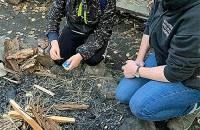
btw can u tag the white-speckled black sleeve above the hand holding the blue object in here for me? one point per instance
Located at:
(101, 34)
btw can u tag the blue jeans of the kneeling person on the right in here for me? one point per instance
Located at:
(154, 100)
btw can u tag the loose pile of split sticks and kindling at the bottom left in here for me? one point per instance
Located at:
(34, 113)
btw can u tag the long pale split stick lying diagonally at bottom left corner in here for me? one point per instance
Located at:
(25, 116)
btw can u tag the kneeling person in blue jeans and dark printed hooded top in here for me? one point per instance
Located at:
(167, 85)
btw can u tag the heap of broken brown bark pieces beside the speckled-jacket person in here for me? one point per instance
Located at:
(20, 60)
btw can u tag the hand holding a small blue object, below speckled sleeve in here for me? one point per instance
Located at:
(74, 61)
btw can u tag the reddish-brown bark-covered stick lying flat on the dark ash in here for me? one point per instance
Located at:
(71, 106)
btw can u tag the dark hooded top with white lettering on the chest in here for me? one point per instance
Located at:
(174, 30)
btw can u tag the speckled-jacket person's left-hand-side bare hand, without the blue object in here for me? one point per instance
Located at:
(55, 50)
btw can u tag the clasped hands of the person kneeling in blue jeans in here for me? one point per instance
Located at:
(130, 69)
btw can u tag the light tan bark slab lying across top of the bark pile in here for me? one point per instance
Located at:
(23, 54)
